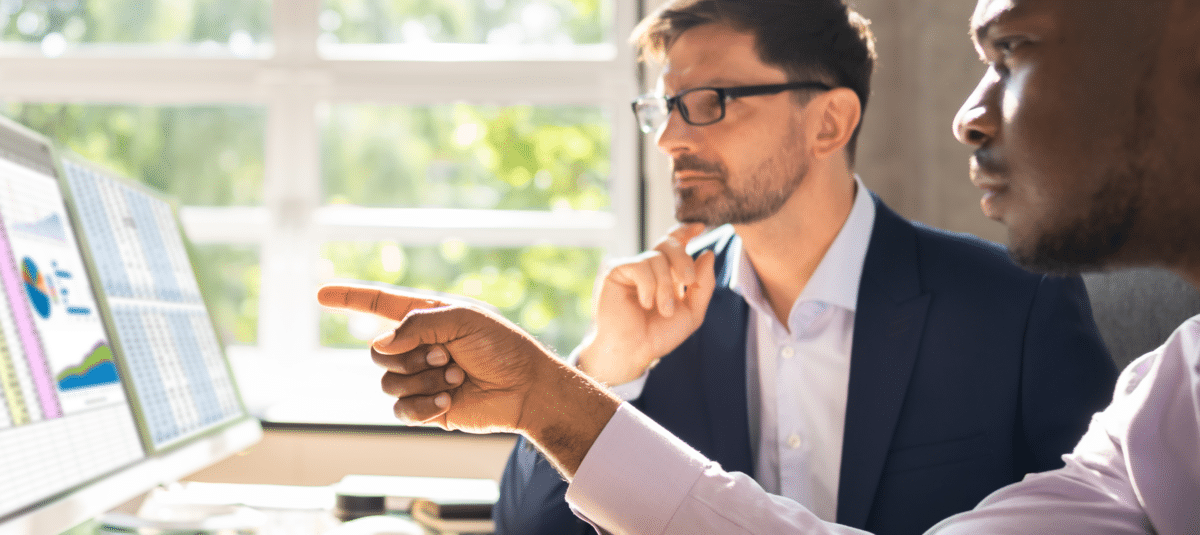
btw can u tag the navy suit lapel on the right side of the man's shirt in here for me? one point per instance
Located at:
(889, 323)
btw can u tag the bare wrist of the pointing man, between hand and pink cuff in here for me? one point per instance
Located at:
(565, 416)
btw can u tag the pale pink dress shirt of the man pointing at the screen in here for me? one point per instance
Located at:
(1137, 471)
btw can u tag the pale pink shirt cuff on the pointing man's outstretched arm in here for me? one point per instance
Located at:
(610, 489)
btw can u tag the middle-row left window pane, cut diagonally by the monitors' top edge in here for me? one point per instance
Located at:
(200, 155)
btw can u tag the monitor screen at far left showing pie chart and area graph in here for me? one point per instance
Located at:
(65, 419)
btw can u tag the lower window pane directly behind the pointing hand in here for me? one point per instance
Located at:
(545, 290)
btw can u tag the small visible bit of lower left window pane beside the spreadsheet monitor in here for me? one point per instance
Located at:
(231, 278)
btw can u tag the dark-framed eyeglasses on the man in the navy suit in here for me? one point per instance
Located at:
(704, 106)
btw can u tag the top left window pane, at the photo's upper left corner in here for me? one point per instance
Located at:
(238, 27)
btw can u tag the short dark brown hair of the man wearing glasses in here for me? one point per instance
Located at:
(823, 40)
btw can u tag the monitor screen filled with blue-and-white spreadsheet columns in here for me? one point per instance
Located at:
(183, 386)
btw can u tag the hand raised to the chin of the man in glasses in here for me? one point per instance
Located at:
(647, 306)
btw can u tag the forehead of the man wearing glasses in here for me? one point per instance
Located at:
(715, 55)
